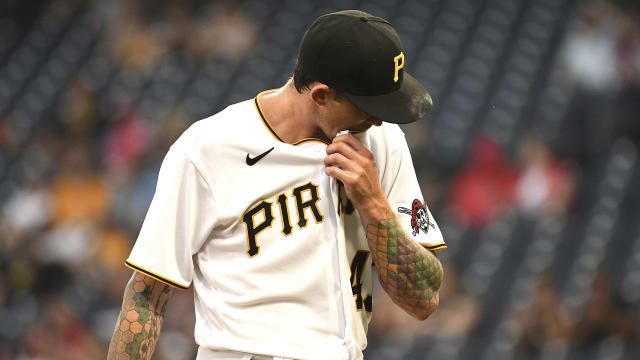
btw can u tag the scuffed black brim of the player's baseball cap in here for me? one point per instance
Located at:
(409, 103)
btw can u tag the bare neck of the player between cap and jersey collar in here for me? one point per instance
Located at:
(289, 114)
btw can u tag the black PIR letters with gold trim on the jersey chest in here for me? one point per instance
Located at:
(255, 226)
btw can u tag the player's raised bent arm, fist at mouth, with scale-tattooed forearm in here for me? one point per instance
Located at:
(408, 272)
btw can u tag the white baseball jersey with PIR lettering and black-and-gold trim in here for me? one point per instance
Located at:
(278, 258)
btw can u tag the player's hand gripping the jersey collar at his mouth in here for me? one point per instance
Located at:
(352, 163)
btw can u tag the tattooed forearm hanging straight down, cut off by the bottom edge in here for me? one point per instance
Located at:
(138, 326)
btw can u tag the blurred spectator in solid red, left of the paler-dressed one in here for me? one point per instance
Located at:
(484, 188)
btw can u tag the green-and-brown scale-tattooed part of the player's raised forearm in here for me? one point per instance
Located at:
(408, 272)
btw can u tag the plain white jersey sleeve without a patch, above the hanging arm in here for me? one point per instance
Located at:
(179, 220)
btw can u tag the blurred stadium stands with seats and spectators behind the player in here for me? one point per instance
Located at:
(529, 162)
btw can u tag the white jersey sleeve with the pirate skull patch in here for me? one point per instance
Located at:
(405, 196)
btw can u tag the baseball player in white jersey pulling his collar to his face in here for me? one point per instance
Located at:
(276, 209)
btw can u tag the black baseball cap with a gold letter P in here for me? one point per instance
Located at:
(360, 55)
